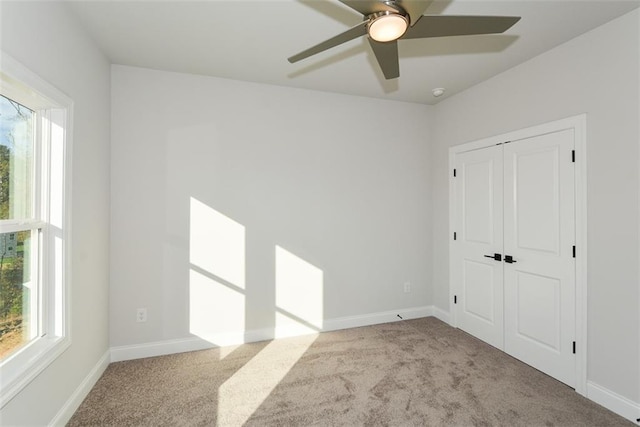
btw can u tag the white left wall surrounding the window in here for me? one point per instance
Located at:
(47, 39)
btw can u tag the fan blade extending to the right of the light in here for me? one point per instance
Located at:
(443, 26)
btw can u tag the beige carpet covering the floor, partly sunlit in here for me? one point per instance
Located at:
(411, 373)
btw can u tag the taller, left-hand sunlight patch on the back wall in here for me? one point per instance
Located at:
(217, 276)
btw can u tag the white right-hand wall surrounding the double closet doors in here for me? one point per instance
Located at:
(598, 74)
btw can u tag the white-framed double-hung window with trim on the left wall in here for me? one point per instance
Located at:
(34, 243)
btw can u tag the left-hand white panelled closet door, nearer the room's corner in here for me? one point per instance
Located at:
(477, 275)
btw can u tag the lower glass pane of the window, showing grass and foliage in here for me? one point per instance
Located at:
(18, 291)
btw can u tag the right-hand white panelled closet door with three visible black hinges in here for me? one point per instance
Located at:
(539, 236)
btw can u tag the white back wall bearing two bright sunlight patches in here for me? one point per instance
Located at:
(340, 182)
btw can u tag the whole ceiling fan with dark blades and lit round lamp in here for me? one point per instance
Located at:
(385, 22)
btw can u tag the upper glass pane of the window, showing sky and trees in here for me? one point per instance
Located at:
(16, 160)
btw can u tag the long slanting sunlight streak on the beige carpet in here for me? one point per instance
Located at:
(243, 393)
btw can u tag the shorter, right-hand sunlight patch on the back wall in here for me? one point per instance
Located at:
(299, 295)
